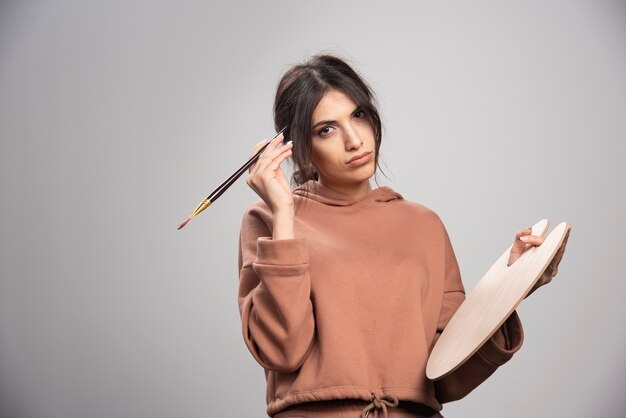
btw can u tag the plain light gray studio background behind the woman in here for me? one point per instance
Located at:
(118, 117)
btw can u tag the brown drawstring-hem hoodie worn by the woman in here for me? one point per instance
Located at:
(351, 307)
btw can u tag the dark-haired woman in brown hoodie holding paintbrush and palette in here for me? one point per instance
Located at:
(344, 289)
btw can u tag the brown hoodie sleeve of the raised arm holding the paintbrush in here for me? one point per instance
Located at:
(274, 295)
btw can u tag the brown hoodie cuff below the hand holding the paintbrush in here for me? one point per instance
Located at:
(283, 252)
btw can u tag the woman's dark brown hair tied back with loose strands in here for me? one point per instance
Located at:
(297, 95)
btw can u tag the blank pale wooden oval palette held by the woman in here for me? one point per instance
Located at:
(491, 302)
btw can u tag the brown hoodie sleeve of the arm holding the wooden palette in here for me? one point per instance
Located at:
(496, 351)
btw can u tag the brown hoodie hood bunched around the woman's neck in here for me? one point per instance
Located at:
(314, 190)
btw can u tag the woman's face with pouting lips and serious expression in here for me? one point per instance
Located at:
(340, 132)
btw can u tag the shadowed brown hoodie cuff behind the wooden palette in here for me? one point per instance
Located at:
(500, 348)
